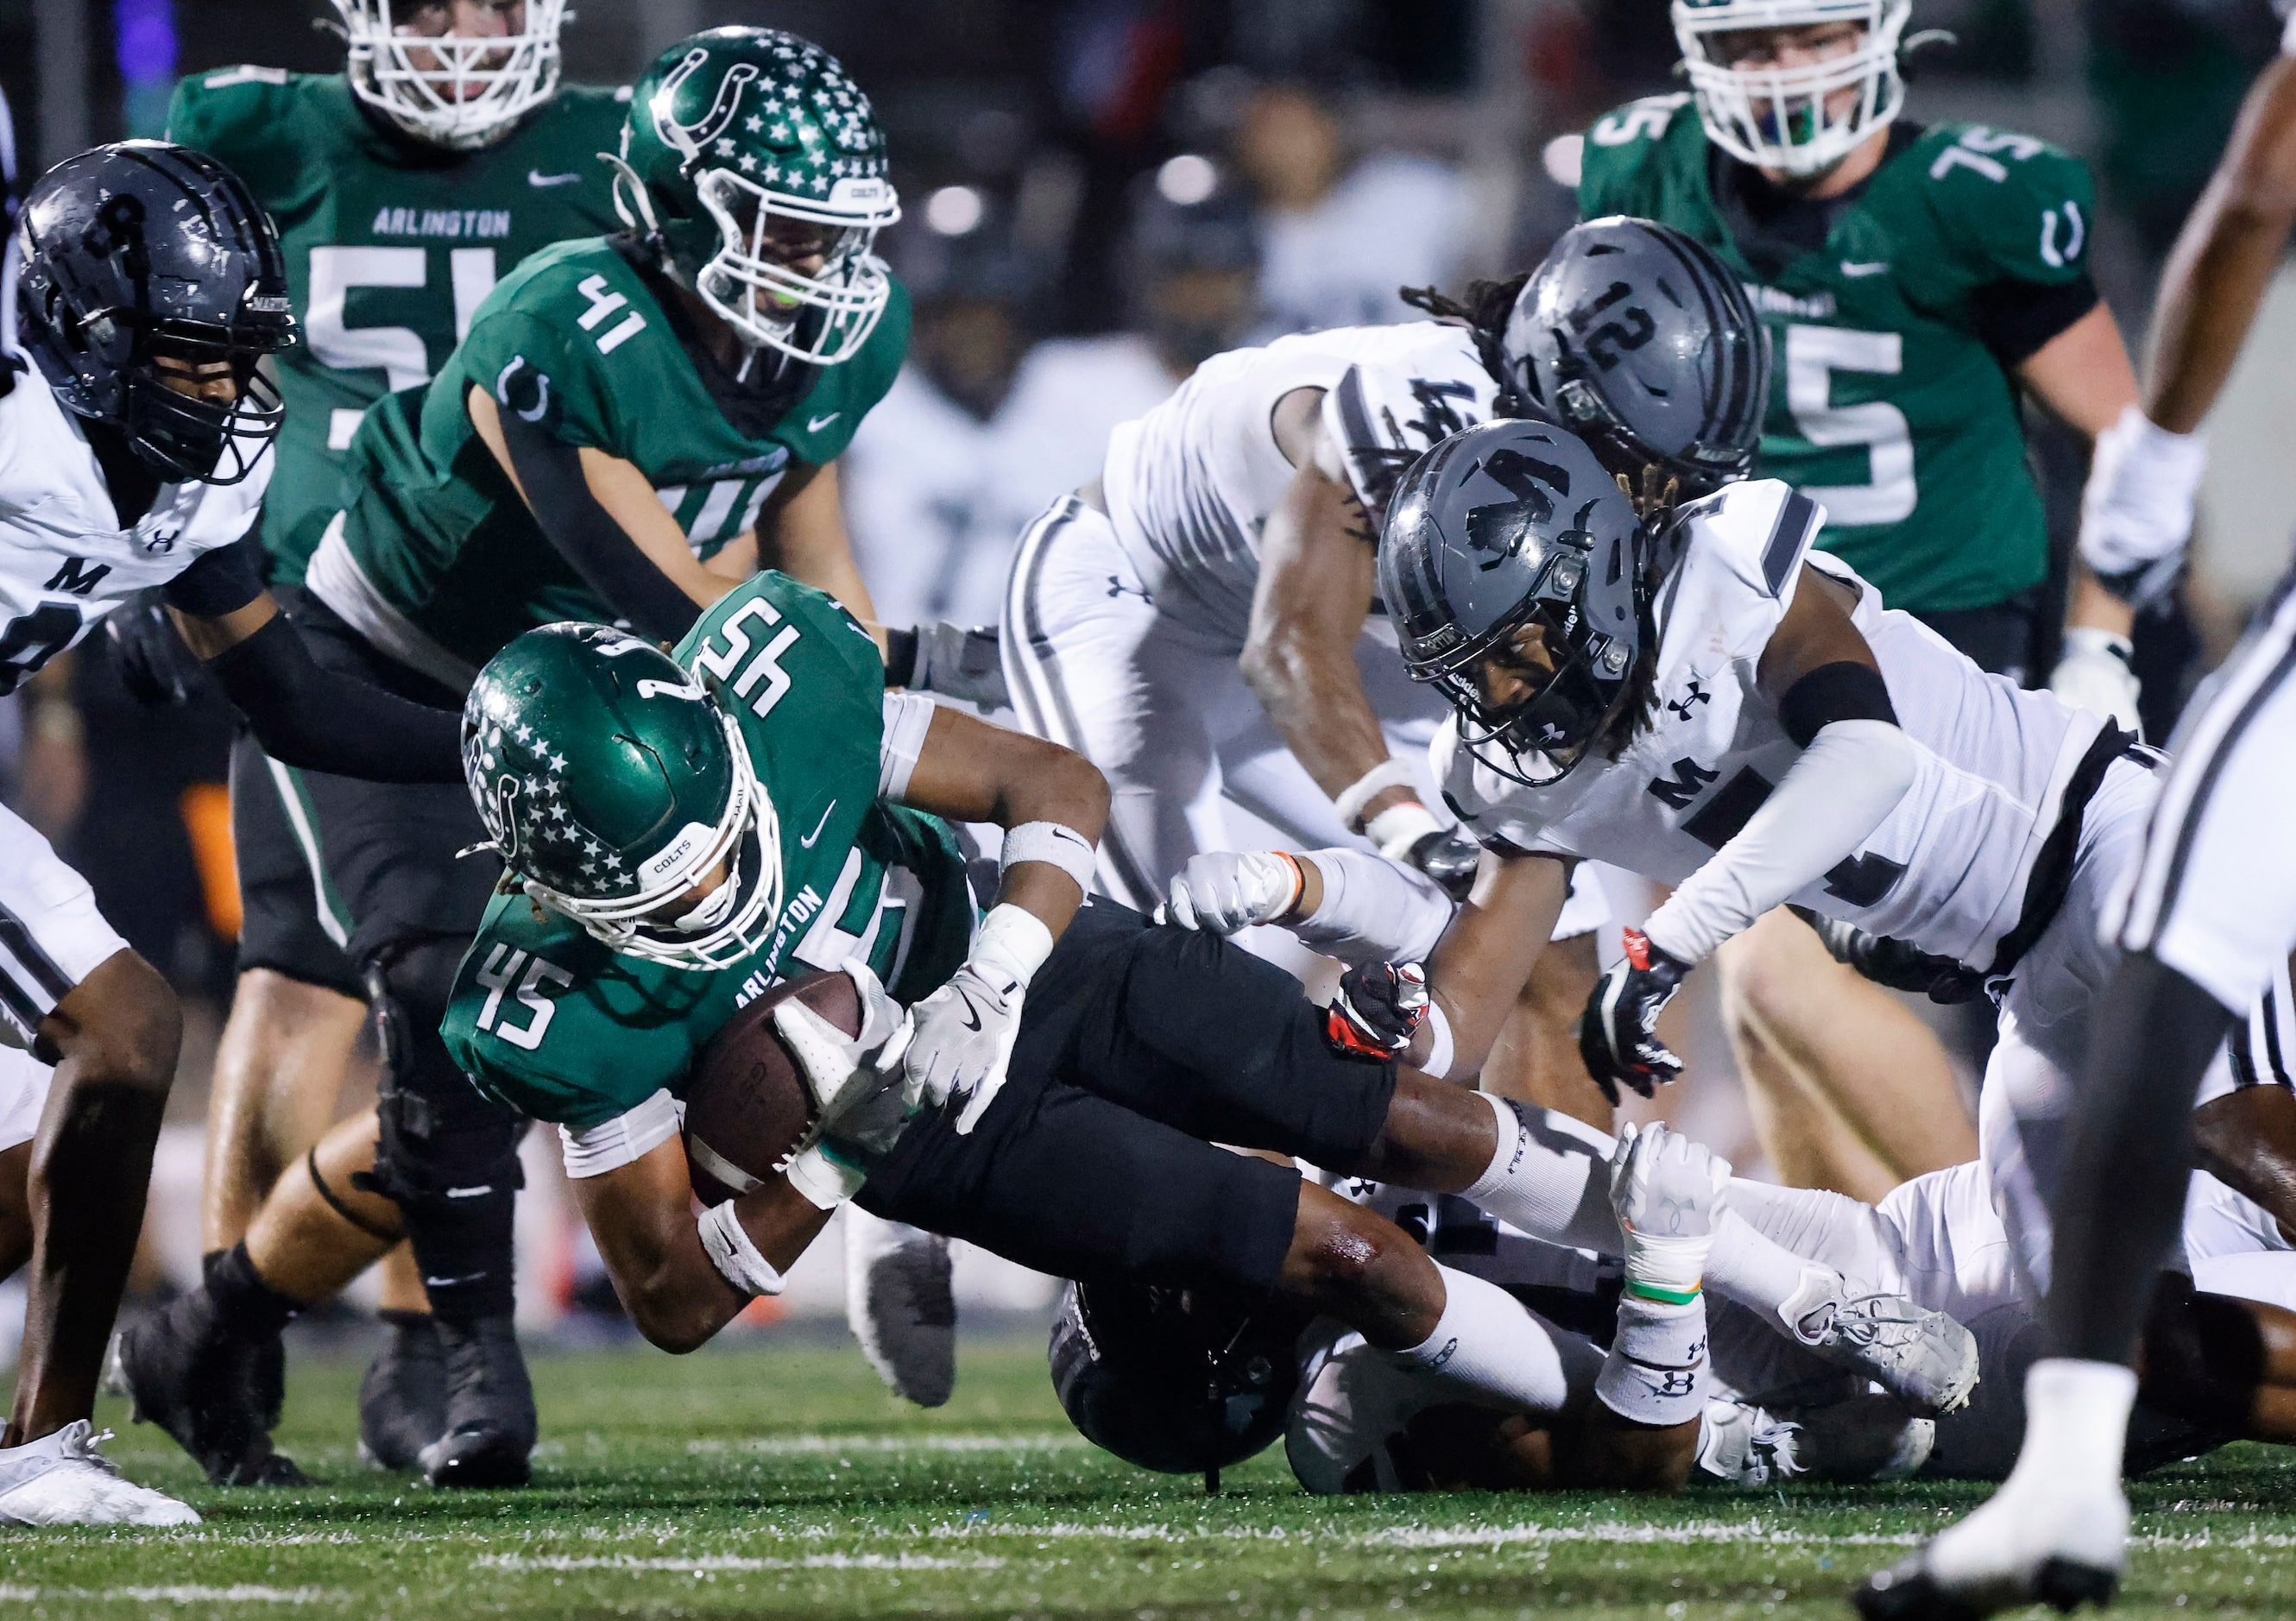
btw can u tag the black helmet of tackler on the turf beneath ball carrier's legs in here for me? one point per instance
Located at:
(1179, 1381)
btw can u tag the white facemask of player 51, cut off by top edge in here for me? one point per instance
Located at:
(451, 91)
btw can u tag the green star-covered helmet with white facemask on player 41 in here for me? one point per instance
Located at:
(750, 155)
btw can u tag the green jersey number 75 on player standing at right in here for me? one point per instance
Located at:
(1891, 334)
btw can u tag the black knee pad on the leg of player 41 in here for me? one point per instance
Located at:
(440, 1135)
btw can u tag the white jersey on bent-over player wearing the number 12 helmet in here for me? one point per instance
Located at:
(1190, 486)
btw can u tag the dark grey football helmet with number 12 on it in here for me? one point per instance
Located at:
(1645, 343)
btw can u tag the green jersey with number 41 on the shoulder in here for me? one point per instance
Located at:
(442, 564)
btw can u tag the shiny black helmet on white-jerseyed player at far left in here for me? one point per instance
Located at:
(148, 251)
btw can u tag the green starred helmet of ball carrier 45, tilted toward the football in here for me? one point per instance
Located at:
(612, 784)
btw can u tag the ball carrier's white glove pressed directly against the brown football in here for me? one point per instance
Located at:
(858, 1106)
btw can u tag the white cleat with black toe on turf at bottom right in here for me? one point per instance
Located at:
(2031, 1544)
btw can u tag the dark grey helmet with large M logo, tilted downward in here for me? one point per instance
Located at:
(1507, 527)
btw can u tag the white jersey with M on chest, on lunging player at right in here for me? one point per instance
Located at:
(1946, 869)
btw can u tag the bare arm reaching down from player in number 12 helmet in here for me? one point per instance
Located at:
(1319, 573)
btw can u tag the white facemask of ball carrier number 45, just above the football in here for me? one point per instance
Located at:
(727, 926)
